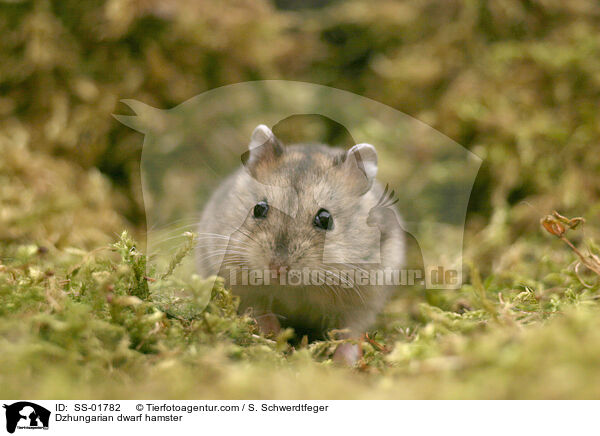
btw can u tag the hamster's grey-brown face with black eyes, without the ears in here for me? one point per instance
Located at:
(306, 196)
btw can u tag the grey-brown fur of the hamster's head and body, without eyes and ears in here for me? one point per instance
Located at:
(297, 183)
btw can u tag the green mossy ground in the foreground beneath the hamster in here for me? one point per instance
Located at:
(88, 332)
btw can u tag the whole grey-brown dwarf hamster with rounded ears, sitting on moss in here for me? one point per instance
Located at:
(307, 208)
